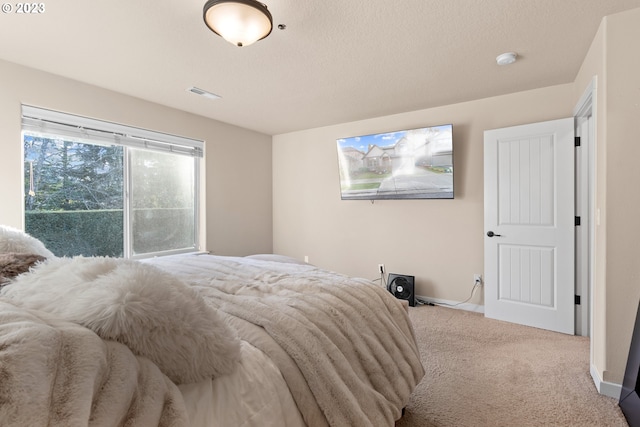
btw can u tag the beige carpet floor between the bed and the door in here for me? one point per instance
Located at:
(484, 372)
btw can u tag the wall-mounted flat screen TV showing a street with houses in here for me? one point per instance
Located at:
(406, 164)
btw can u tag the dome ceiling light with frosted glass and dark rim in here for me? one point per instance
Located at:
(240, 22)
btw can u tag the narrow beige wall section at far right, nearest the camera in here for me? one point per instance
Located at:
(622, 130)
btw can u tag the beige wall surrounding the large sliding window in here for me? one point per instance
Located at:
(237, 165)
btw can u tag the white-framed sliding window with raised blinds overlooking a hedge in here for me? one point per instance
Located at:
(96, 188)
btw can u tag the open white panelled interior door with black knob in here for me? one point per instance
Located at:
(529, 224)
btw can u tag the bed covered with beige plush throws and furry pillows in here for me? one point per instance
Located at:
(196, 340)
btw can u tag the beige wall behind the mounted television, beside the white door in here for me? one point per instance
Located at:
(438, 241)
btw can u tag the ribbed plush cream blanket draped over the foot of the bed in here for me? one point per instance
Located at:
(344, 346)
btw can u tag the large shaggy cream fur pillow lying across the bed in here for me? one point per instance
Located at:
(151, 311)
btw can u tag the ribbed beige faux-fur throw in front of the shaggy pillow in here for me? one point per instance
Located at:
(57, 373)
